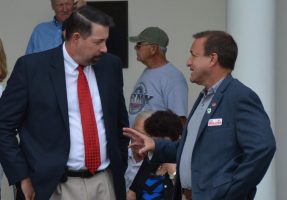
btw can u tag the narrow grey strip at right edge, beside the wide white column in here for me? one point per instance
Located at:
(281, 99)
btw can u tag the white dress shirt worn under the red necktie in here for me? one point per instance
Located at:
(76, 159)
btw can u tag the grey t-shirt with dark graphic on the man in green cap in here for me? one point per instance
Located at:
(159, 88)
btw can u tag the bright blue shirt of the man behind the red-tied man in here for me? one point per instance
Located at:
(46, 35)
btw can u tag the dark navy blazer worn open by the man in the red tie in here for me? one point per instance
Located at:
(34, 106)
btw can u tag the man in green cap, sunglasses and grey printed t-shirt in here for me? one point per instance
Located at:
(161, 86)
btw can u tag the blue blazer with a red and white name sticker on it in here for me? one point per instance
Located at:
(228, 160)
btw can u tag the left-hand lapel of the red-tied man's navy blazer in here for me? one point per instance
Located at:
(57, 75)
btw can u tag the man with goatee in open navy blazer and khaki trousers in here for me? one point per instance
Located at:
(40, 105)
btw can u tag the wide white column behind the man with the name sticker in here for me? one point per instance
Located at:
(252, 23)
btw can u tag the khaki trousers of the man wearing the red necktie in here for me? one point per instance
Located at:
(98, 187)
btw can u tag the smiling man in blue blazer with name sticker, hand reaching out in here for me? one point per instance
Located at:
(227, 144)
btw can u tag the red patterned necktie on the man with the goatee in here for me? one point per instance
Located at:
(89, 126)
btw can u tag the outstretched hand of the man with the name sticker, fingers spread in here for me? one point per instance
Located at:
(139, 141)
